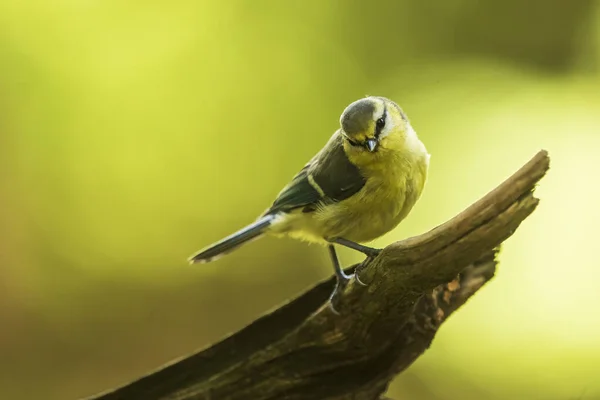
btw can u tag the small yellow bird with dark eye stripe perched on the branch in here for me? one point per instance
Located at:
(358, 187)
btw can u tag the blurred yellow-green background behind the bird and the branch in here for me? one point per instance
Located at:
(134, 133)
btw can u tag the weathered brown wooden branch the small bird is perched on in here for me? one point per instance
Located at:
(304, 351)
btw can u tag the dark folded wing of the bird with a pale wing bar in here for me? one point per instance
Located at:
(329, 177)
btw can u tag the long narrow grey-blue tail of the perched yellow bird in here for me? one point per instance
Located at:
(224, 246)
